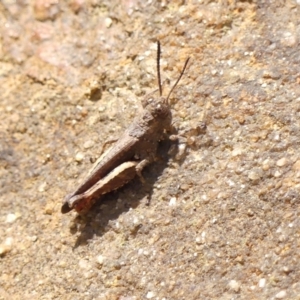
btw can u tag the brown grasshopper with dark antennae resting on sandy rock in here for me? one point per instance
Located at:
(134, 150)
